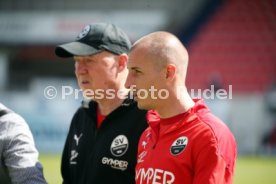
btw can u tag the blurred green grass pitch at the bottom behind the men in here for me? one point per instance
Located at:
(249, 170)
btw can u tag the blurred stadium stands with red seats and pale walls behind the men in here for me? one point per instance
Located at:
(232, 46)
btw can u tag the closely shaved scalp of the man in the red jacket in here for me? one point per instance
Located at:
(164, 48)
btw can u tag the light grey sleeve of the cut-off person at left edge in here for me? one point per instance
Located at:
(20, 154)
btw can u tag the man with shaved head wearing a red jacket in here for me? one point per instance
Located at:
(185, 143)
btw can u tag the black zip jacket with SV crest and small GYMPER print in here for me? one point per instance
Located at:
(105, 155)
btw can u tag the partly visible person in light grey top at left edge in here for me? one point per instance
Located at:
(19, 157)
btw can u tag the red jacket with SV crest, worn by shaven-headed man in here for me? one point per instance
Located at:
(194, 147)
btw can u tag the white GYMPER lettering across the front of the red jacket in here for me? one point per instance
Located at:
(157, 176)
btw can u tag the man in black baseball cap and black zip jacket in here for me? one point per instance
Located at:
(101, 146)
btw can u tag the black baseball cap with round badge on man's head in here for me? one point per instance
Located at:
(95, 38)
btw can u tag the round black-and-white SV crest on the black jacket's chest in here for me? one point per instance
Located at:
(119, 146)
